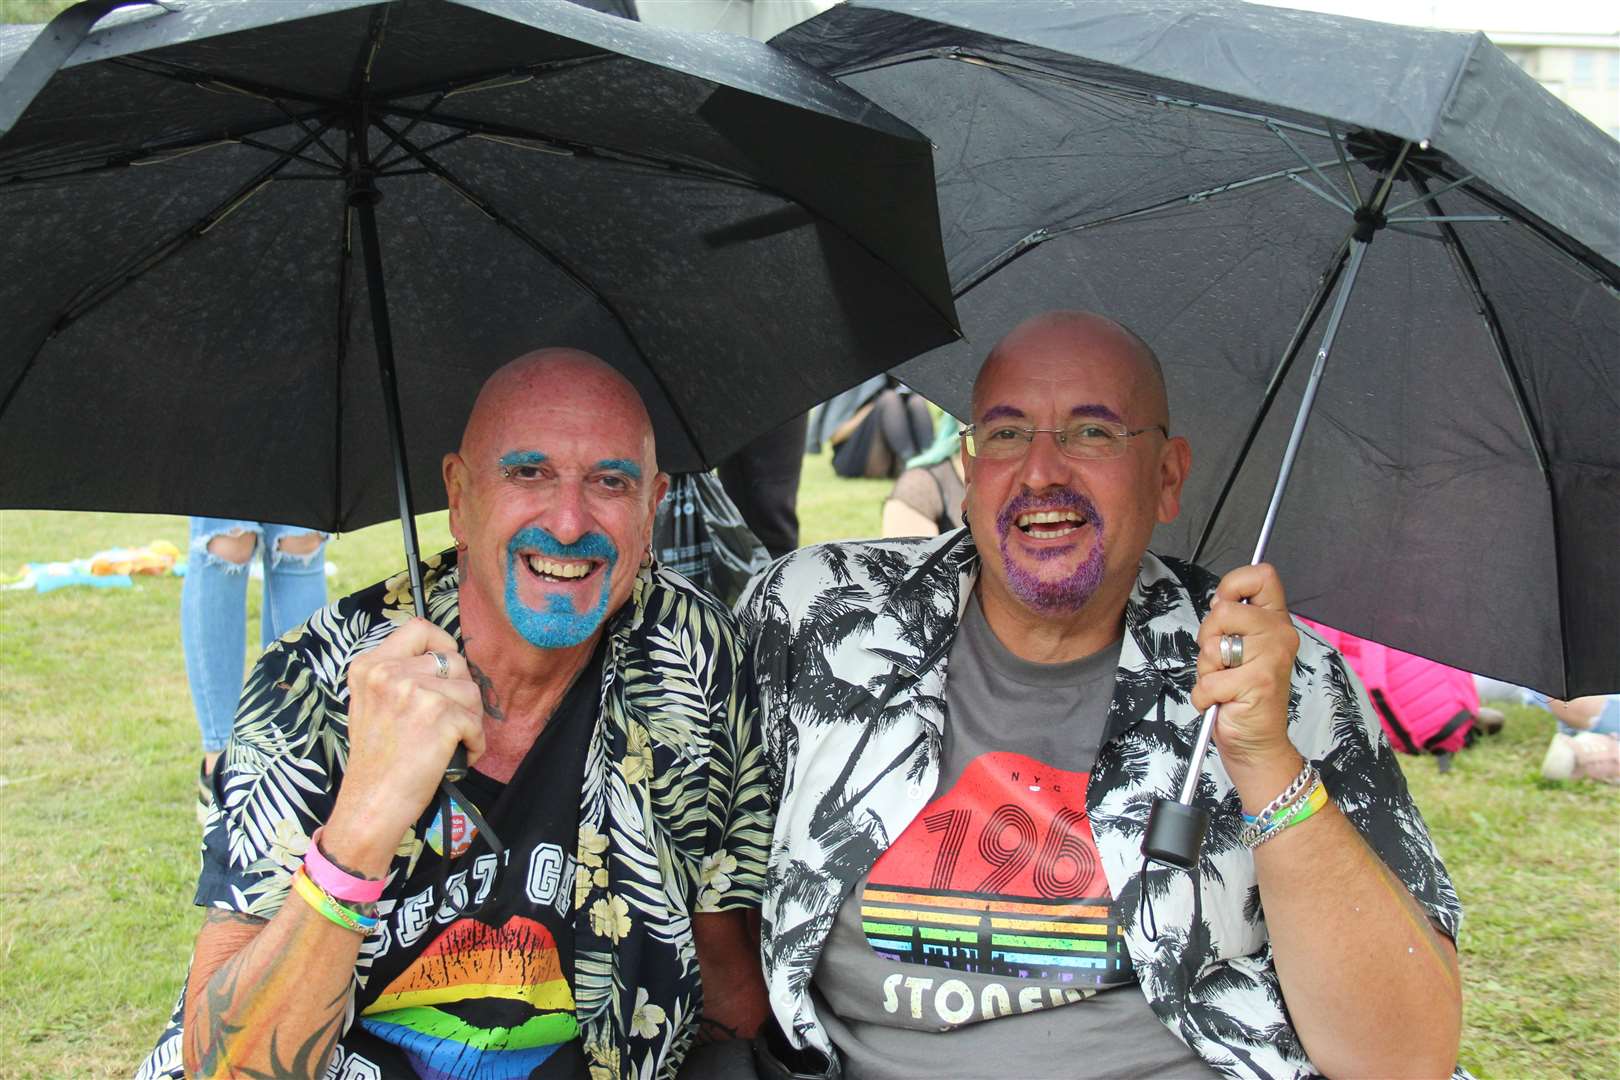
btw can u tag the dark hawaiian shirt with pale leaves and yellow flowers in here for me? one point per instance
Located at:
(675, 806)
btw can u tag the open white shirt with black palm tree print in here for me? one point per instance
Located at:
(851, 645)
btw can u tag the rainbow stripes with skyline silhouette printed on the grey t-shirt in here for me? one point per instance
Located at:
(1065, 942)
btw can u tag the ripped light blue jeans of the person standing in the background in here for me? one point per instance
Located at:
(215, 606)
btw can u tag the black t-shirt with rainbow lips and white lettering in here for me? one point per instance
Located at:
(490, 993)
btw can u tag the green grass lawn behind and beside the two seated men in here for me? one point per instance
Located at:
(100, 853)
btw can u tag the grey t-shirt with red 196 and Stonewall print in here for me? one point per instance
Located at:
(992, 904)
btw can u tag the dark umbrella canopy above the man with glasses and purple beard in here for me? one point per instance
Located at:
(1206, 172)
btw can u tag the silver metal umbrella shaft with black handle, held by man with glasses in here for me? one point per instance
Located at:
(1175, 830)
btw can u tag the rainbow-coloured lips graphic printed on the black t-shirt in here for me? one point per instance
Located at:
(482, 1003)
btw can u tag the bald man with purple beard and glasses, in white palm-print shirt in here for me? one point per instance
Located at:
(971, 729)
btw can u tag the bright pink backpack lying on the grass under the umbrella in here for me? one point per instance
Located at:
(1425, 707)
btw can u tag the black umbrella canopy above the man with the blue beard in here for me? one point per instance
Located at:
(187, 308)
